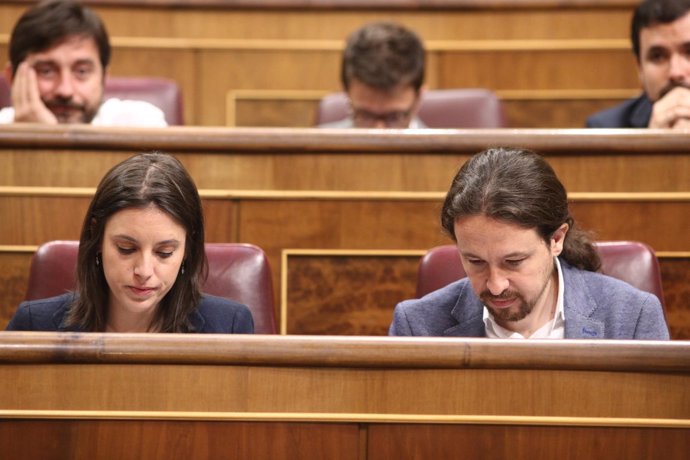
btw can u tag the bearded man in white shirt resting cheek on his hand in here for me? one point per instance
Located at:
(59, 55)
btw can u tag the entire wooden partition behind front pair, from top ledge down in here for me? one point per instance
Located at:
(370, 192)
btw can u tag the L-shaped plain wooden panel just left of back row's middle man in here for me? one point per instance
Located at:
(222, 71)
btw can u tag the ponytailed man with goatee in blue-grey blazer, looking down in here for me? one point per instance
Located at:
(530, 269)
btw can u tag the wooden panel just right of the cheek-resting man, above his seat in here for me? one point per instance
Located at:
(175, 64)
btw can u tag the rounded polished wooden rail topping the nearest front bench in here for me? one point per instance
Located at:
(378, 352)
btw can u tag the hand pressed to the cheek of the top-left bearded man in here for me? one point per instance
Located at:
(26, 99)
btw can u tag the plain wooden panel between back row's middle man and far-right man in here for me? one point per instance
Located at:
(538, 70)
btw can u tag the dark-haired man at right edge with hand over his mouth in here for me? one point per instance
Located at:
(660, 34)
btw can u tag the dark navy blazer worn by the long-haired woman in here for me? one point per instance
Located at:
(215, 315)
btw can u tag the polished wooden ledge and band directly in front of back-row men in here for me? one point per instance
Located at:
(268, 159)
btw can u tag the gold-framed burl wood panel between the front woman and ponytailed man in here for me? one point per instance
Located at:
(346, 294)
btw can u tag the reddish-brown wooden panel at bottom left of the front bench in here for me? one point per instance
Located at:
(183, 440)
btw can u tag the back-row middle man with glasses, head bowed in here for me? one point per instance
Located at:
(383, 75)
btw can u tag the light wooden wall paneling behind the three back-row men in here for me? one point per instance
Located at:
(216, 53)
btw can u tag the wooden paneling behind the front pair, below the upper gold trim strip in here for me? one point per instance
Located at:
(324, 240)
